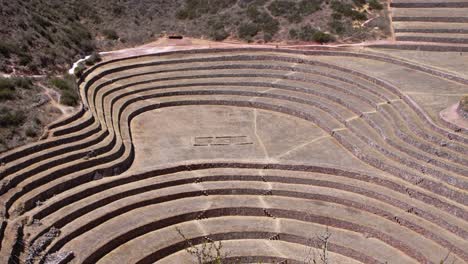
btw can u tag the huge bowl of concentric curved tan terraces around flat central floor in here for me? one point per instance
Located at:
(263, 149)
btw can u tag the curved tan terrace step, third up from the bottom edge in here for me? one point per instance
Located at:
(151, 215)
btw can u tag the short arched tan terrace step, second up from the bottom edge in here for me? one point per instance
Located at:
(255, 229)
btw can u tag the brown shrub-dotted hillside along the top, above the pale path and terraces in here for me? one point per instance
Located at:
(42, 35)
